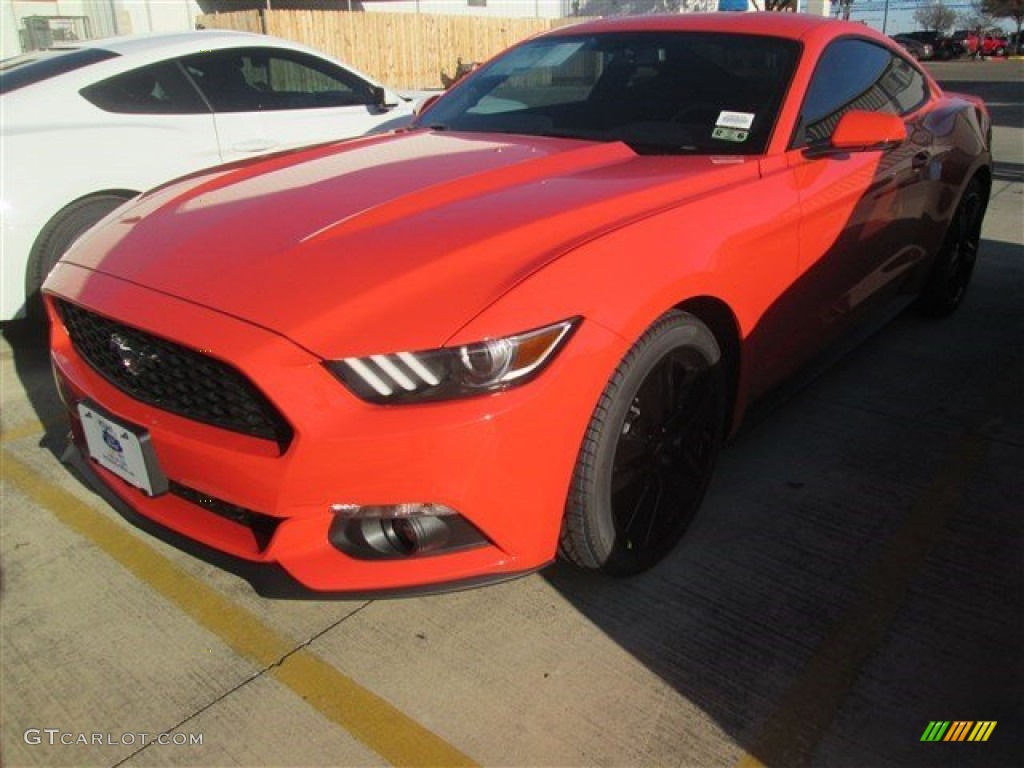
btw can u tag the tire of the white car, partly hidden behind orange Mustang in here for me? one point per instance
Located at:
(60, 235)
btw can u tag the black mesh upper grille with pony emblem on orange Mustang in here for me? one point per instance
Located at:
(172, 377)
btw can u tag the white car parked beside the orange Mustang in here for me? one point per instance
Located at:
(84, 129)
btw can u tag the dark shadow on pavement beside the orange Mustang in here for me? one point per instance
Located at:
(857, 570)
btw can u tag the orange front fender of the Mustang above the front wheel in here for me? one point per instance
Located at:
(738, 245)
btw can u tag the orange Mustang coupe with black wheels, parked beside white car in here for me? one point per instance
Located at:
(523, 326)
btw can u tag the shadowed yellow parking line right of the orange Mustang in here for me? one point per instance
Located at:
(808, 709)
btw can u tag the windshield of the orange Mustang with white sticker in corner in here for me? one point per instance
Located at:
(660, 93)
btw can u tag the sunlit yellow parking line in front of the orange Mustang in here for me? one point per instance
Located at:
(383, 729)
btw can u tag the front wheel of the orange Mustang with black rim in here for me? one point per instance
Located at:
(650, 451)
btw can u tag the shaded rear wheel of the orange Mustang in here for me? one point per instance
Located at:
(954, 267)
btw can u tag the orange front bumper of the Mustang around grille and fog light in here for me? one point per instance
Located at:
(503, 462)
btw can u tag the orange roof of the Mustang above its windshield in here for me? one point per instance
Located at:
(794, 26)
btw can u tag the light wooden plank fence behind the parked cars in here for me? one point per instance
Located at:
(403, 51)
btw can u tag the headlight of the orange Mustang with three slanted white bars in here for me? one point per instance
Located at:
(453, 372)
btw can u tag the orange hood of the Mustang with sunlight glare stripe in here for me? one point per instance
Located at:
(386, 244)
